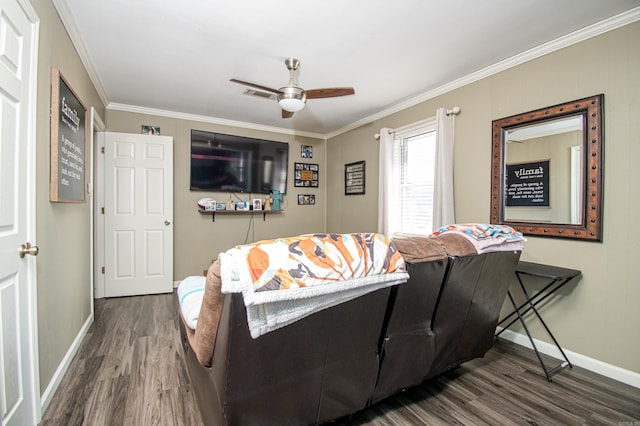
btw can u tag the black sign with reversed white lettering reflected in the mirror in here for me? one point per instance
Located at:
(528, 184)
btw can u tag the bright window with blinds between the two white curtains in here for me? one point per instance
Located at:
(411, 174)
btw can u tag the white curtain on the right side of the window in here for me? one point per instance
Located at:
(443, 208)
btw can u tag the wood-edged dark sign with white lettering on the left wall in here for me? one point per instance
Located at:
(68, 143)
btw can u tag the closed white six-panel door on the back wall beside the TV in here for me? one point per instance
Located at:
(138, 220)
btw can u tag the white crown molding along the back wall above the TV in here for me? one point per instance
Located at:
(211, 120)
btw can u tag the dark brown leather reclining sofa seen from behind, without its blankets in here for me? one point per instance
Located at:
(342, 359)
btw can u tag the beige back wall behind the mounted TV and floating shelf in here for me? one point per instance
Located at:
(197, 239)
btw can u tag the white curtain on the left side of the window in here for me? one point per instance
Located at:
(385, 180)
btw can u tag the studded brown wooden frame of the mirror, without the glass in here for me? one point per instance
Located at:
(590, 226)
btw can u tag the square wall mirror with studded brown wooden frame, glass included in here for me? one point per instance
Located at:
(547, 172)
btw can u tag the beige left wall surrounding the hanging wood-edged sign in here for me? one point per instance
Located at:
(62, 230)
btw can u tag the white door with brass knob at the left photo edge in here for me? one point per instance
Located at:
(18, 348)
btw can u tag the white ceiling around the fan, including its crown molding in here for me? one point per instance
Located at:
(175, 58)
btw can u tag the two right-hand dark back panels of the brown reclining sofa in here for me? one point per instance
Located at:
(436, 327)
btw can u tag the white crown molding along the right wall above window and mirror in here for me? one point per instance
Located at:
(594, 30)
